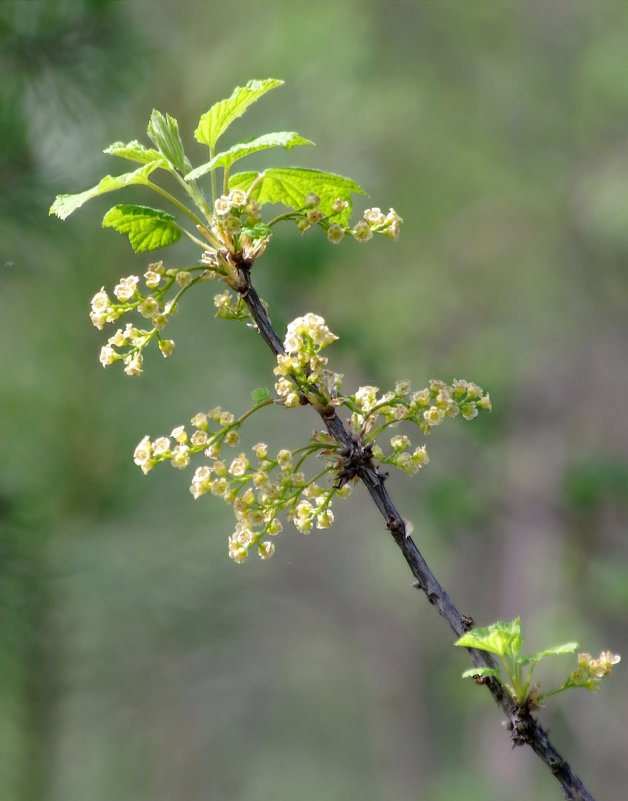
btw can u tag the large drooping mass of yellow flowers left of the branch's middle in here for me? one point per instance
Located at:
(258, 486)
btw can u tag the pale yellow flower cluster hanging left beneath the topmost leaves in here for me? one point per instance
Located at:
(128, 344)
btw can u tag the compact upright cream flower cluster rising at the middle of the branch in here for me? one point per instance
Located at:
(301, 368)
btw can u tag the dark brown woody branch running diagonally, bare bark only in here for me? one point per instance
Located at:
(524, 728)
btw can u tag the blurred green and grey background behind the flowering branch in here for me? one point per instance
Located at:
(136, 661)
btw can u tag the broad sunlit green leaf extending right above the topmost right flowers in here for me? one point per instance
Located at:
(291, 185)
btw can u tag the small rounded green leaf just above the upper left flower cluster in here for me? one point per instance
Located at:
(147, 229)
